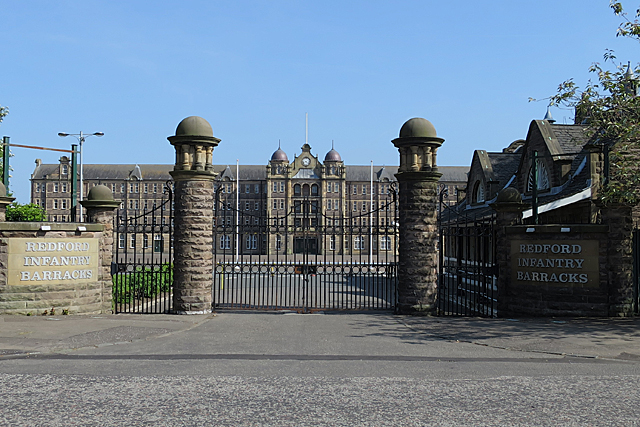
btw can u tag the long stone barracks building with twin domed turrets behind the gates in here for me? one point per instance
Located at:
(302, 193)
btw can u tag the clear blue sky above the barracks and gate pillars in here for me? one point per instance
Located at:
(360, 69)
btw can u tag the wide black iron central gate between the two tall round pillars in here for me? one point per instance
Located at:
(307, 259)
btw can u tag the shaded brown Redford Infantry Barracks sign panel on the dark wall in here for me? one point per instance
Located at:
(563, 263)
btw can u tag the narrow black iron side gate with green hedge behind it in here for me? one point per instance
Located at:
(142, 270)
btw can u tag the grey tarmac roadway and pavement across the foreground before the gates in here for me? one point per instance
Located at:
(286, 369)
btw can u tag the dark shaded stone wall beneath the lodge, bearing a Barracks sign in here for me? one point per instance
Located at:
(554, 270)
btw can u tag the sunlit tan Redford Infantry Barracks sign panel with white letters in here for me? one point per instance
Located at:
(50, 261)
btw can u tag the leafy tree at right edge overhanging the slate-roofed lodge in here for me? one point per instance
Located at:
(610, 105)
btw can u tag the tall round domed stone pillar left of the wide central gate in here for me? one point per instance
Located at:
(193, 176)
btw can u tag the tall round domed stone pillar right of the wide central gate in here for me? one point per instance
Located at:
(418, 201)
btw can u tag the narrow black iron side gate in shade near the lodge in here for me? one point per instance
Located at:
(468, 273)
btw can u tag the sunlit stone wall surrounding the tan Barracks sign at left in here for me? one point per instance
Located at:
(77, 295)
